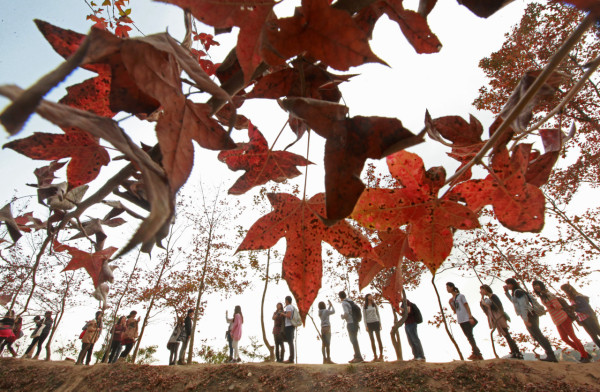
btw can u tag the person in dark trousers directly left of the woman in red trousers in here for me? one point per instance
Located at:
(524, 308)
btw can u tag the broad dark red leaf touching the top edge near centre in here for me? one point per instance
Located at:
(324, 33)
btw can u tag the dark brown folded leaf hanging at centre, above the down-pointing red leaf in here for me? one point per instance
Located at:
(350, 142)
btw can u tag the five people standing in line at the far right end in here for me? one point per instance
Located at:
(563, 315)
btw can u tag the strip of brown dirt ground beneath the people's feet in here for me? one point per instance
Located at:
(492, 375)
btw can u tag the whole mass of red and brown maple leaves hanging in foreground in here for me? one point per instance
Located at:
(288, 59)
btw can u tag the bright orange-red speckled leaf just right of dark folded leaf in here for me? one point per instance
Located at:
(416, 204)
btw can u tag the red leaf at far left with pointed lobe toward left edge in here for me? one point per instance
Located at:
(87, 156)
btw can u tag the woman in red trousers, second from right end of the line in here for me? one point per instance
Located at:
(561, 319)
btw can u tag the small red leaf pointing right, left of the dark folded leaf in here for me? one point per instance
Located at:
(260, 163)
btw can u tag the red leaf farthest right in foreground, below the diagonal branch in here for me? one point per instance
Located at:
(517, 204)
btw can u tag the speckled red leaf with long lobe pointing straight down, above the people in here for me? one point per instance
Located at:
(298, 221)
